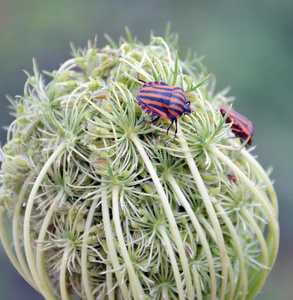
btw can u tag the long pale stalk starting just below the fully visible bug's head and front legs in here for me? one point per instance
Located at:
(210, 210)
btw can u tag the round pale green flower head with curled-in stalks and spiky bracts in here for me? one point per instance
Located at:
(103, 207)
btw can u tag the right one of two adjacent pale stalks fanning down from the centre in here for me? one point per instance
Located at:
(134, 281)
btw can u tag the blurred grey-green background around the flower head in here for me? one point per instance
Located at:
(247, 45)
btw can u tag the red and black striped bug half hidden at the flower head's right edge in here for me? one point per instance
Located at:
(241, 127)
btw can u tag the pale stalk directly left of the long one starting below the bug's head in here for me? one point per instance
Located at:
(201, 234)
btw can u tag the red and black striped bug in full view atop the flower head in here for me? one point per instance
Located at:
(159, 99)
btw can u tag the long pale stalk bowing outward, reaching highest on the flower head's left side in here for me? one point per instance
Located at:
(44, 289)
